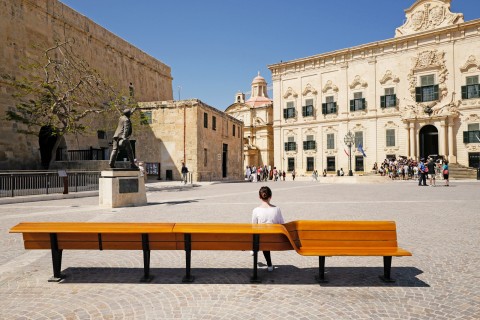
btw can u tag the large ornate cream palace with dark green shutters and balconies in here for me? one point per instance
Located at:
(414, 95)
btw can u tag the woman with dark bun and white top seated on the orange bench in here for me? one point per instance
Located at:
(267, 213)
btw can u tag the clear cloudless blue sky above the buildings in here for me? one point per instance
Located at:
(216, 47)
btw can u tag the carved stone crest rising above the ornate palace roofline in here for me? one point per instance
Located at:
(427, 15)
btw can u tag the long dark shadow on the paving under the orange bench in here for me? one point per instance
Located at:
(282, 275)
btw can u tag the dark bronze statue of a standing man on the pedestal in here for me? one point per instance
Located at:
(121, 139)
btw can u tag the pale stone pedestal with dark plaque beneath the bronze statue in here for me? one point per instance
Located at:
(121, 188)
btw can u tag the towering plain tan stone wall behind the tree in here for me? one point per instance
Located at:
(25, 23)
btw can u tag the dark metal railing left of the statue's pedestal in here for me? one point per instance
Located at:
(14, 184)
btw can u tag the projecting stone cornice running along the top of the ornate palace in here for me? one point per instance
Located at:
(373, 49)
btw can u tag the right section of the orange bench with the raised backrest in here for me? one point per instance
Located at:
(346, 238)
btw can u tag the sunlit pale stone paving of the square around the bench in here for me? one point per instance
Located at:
(440, 226)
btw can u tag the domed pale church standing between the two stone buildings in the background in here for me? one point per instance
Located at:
(257, 116)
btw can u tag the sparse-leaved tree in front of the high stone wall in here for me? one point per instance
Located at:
(60, 95)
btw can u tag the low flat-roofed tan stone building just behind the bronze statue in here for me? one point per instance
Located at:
(208, 140)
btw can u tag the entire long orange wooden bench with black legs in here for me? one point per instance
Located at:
(308, 238)
